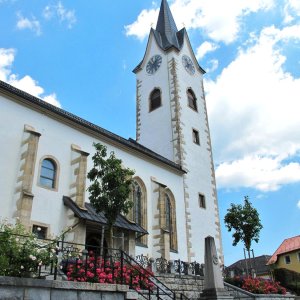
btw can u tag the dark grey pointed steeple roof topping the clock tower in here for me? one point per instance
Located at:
(166, 32)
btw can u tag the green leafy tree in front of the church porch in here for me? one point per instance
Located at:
(110, 187)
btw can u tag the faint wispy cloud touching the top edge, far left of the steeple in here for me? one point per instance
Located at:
(59, 11)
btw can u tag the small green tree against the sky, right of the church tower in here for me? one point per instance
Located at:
(244, 220)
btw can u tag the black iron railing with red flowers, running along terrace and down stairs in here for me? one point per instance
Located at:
(87, 263)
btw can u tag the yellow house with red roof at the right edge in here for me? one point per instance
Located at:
(287, 256)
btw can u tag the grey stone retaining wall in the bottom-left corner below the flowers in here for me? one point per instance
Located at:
(12, 288)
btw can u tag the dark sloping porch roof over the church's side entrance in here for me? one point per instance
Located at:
(89, 214)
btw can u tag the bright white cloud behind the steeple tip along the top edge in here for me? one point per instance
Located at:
(219, 19)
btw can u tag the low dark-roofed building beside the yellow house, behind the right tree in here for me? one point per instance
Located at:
(257, 264)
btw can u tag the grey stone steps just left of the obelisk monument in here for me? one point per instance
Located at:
(190, 286)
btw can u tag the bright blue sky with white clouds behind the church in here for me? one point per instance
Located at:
(80, 56)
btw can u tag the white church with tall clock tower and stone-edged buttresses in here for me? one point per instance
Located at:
(46, 155)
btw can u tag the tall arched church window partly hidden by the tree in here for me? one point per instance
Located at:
(139, 208)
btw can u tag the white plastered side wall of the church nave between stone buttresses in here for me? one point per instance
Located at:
(56, 140)
